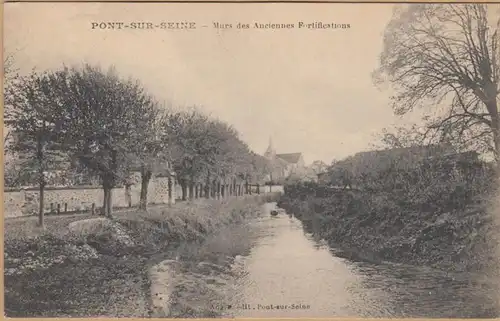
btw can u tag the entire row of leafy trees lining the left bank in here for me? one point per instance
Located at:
(110, 126)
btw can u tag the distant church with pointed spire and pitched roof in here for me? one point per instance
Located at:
(283, 165)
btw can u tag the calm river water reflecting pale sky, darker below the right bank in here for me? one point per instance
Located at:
(290, 274)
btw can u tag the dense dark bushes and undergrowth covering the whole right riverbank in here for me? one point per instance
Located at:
(435, 212)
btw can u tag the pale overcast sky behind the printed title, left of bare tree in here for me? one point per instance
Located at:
(311, 90)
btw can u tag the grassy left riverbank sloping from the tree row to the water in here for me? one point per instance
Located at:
(84, 268)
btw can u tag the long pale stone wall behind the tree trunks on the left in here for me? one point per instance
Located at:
(25, 202)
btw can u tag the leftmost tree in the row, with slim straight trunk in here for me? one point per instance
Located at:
(30, 115)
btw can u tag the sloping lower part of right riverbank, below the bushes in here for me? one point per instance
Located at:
(371, 227)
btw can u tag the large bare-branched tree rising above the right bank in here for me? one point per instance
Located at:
(446, 55)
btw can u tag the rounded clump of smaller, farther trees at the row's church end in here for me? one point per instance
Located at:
(205, 151)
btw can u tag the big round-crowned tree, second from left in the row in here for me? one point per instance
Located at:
(102, 117)
